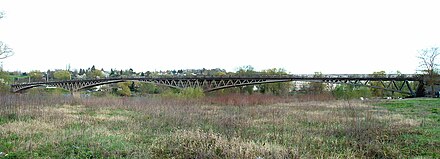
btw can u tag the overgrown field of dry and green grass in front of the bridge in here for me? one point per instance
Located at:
(217, 127)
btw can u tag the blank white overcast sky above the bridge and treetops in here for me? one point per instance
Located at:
(338, 36)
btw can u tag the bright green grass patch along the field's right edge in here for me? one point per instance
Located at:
(423, 140)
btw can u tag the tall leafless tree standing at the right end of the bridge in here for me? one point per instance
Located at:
(428, 63)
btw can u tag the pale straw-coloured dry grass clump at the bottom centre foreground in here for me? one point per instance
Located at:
(200, 144)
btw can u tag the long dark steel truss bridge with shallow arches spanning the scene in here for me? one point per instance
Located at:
(390, 82)
